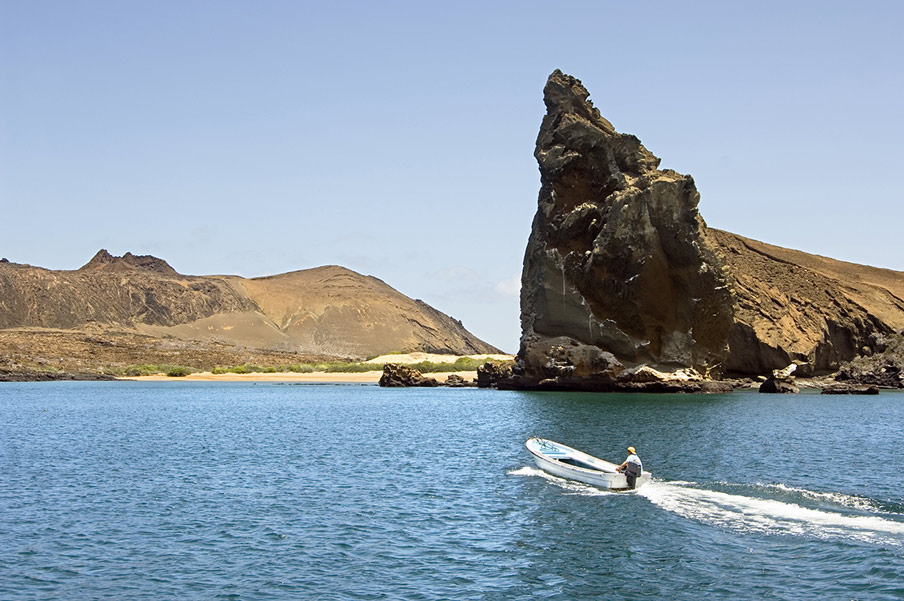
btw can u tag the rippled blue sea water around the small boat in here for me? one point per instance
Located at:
(186, 490)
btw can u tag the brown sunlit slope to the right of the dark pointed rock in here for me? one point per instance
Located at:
(792, 306)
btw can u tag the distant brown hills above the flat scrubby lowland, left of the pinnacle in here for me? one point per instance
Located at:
(327, 311)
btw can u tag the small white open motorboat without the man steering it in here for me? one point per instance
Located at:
(565, 462)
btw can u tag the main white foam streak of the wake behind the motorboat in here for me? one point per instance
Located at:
(753, 514)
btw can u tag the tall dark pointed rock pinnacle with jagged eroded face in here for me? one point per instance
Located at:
(618, 271)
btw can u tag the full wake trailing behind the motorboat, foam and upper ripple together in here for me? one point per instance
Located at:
(777, 509)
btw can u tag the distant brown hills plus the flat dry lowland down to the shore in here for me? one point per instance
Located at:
(131, 310)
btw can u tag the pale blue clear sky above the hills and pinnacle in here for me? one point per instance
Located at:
(396, 138)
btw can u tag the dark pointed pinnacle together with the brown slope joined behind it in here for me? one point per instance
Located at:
(621, 272)
